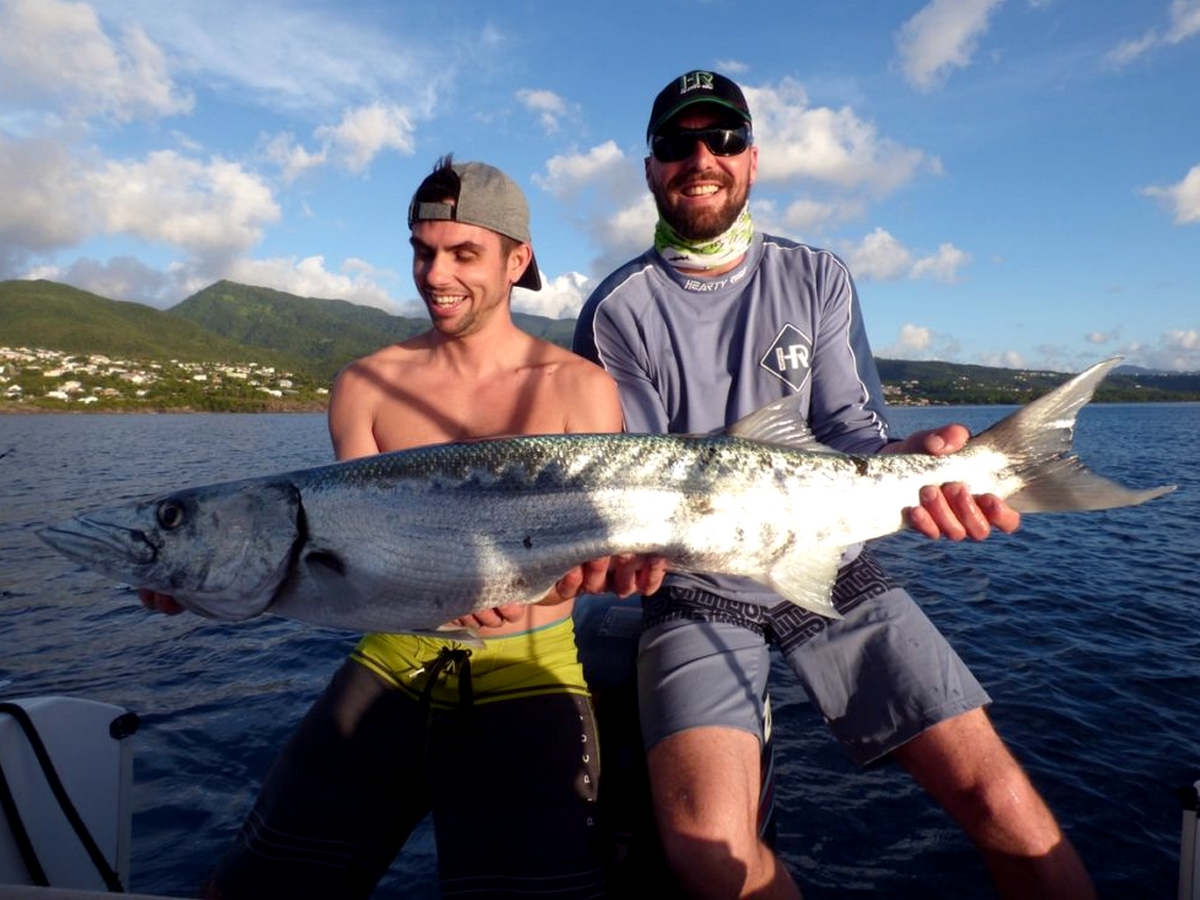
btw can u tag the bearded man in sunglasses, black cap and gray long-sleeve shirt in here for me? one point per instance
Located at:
(712, 323)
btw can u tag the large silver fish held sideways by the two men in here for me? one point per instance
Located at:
(410, 541)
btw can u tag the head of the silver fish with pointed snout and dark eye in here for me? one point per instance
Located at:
(223, 551)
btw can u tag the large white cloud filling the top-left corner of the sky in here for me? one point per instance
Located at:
(57, 55)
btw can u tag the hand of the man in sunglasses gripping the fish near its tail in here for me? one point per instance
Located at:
(951, 511)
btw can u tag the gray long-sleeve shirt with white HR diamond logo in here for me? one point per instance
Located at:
(693, 356)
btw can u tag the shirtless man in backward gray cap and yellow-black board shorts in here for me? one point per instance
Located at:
(409, 723)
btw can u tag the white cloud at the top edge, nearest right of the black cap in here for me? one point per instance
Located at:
(940, 38)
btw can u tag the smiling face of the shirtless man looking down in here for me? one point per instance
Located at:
(464, 273)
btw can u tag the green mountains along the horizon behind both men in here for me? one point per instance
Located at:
(313, 338)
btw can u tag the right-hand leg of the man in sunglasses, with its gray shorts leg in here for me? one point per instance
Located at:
(887, 682)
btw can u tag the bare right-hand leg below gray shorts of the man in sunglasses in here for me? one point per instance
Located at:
(964, 765)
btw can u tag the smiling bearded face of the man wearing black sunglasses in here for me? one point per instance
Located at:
(701, 196)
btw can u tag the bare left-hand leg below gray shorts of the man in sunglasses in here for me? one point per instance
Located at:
(706, 783)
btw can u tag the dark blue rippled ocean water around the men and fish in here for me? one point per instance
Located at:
(1085, 628)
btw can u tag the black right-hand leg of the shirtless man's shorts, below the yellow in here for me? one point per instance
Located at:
(515, 787)
